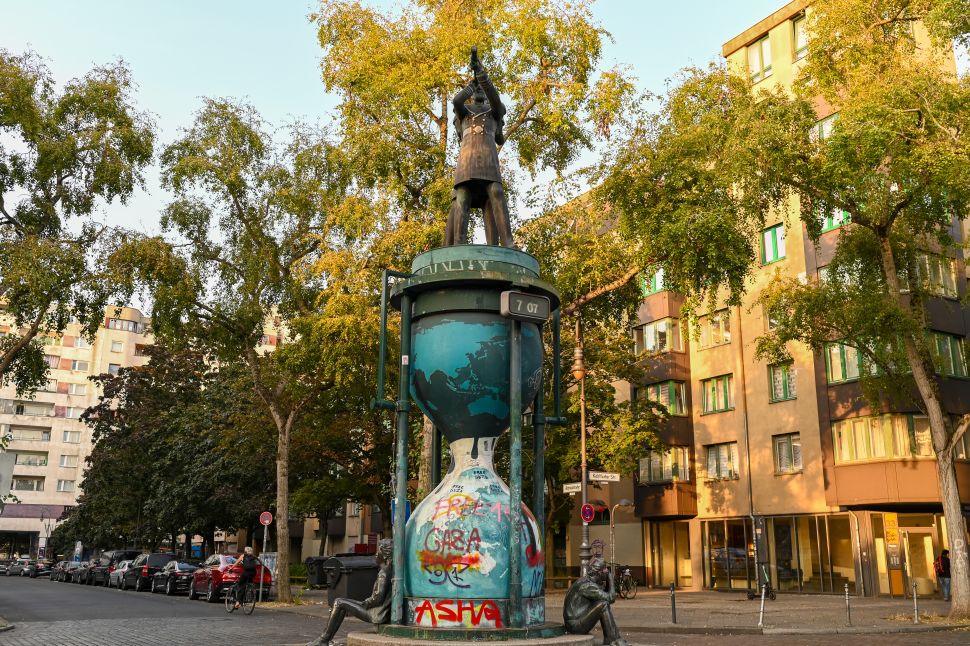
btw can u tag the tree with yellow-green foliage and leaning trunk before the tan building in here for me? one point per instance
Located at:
(717, 158)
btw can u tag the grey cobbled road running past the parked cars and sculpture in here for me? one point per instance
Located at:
(64, 614)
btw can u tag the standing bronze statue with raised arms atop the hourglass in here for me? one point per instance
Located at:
(478, 179)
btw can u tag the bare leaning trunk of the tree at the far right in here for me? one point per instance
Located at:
(940, 431)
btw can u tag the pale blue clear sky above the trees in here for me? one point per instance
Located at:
(267, 53)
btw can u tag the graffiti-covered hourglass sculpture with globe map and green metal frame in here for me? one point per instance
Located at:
(471, 559)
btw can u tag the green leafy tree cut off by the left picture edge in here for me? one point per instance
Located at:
(64, 153)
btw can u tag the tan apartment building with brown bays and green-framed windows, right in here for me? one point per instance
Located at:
(786, 467)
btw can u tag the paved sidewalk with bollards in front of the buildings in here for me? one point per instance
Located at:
(730, 613)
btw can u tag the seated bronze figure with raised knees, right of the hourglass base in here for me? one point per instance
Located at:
(588, 602)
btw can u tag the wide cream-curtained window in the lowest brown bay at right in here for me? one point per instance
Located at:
(881, 437)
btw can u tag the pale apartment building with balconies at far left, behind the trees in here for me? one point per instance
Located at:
(48, 441)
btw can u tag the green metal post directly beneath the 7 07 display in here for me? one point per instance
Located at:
(515, 475)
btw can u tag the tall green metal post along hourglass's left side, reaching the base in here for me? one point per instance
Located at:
(403, 407)
